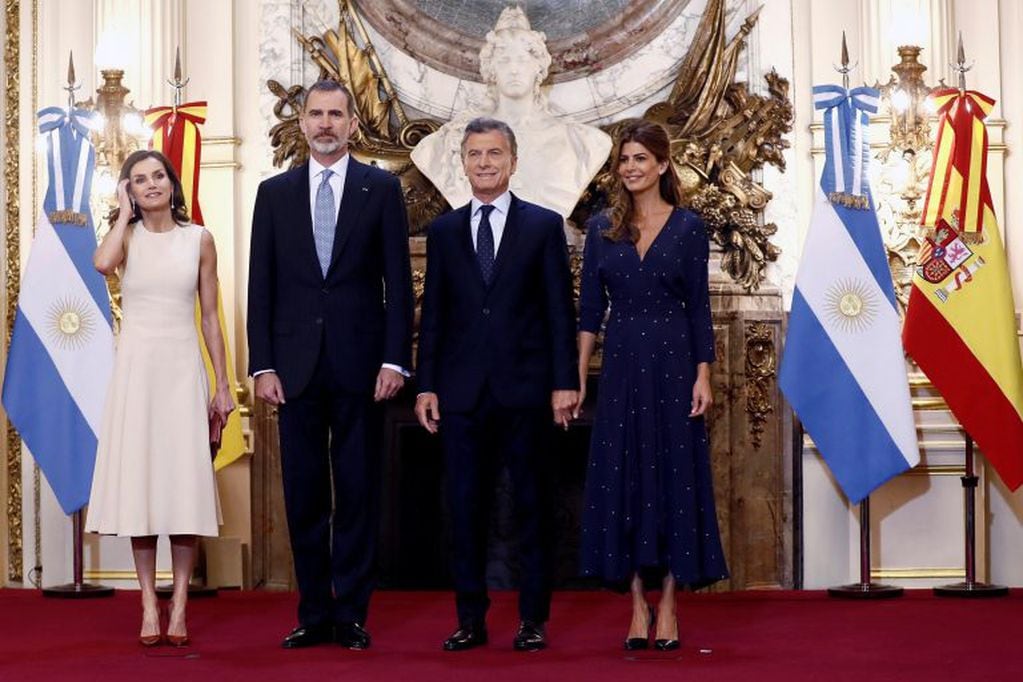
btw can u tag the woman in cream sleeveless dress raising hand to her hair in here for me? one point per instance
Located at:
(154, 470)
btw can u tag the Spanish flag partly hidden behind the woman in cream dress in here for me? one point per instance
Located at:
(175, 133)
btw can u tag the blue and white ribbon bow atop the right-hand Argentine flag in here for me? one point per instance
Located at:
(847, 119)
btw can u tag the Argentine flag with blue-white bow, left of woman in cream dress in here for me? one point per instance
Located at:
(62, 349)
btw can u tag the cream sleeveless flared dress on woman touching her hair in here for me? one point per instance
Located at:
(154, 472)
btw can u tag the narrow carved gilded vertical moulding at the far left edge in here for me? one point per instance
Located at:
(13, 221)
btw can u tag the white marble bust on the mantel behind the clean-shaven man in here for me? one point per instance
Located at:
(558, 158)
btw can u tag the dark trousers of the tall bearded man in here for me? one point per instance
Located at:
(329, 436)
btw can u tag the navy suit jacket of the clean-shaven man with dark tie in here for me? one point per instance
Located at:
(516, 336)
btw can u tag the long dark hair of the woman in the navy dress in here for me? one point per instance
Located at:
(655, 139)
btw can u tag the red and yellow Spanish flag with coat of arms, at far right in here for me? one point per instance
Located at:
(961, 324)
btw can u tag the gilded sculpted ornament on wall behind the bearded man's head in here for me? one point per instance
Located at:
(386, 135)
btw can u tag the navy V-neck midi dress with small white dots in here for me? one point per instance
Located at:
(650, 501)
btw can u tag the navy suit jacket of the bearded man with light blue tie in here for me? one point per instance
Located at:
(362, 312)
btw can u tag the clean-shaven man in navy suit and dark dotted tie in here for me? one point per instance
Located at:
(497, 356)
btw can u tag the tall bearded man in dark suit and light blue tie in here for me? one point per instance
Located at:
(330, 338)
